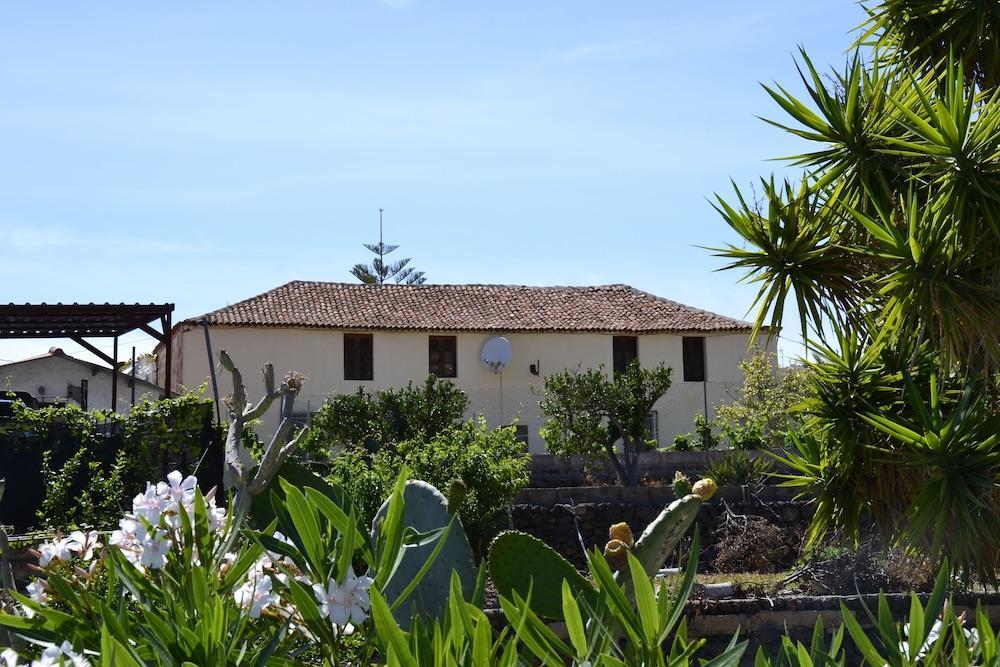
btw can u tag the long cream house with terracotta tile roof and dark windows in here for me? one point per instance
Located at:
(343, 336)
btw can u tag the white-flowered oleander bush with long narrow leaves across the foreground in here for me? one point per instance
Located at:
(181, 581)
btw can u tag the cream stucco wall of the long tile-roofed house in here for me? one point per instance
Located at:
(400, 357)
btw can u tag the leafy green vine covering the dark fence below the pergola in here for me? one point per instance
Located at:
(92, 463)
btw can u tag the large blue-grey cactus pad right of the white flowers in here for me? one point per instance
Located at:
(425, 508)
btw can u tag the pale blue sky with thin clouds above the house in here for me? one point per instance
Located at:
(201, 153)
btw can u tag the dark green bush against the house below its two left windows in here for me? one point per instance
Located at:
(384, 418)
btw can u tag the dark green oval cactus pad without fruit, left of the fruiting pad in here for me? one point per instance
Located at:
(519, 562)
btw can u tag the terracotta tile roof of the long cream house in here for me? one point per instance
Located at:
(490, 308)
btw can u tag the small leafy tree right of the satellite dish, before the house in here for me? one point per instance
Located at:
(589, 412)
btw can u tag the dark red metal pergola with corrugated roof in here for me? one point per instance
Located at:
(78, 322)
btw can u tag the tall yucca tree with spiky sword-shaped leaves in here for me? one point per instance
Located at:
(890, 248)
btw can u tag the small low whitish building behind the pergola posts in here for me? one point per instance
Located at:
(56, 377)
